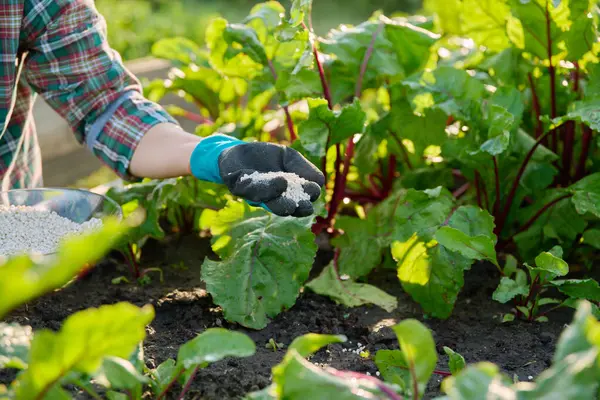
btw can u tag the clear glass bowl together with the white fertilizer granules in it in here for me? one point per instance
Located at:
(35, 221)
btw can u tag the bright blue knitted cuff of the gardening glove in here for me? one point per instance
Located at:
(204, 161)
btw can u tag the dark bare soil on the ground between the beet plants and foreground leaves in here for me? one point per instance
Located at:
(184, 309)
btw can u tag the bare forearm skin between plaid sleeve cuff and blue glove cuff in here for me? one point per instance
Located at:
(163, 152)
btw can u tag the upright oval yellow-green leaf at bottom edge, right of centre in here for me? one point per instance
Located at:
(418, 348)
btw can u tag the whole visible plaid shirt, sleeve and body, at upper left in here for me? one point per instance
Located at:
(68, 62)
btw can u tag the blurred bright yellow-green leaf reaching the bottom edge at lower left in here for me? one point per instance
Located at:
(84, 340)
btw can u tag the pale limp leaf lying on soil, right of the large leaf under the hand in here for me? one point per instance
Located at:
(350, 293)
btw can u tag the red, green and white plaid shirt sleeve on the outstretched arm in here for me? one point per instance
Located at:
(71, 65)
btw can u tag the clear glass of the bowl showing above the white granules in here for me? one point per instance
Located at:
(75, 204)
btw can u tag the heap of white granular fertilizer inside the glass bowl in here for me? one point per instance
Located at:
(26, 229)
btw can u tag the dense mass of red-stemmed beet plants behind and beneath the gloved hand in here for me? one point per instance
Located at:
(447, 139)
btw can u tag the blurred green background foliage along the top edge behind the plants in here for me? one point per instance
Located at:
(135, 25)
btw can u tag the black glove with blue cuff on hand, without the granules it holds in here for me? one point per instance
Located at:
(224, 159)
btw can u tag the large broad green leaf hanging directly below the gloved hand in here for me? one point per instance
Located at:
(265, 261)
